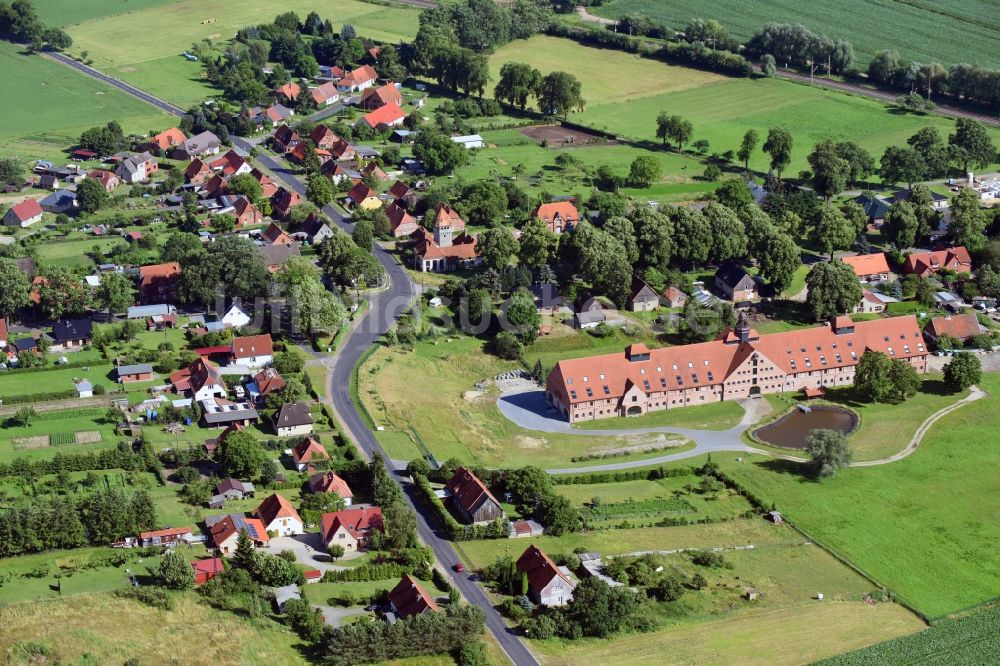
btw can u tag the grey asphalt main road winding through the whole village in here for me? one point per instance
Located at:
(385, 307)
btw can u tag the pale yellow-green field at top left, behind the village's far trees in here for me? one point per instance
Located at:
(143, 47)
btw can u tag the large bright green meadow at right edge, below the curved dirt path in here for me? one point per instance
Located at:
(923, 526)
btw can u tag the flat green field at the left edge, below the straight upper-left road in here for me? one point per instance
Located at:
(54, 104)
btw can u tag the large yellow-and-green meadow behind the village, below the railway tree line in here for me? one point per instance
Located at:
(722, 109)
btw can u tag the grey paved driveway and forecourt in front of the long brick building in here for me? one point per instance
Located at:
(529, 410)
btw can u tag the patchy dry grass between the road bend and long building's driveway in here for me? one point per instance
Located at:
(453, 419)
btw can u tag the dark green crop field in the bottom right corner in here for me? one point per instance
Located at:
(965, 641)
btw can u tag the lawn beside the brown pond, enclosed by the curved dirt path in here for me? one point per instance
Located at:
(885, 428)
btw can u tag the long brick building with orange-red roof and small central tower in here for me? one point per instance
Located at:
(739, 364)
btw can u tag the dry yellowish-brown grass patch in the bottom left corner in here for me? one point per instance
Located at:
(103, 629)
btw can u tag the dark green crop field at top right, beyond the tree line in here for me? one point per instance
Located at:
(945, 31)
